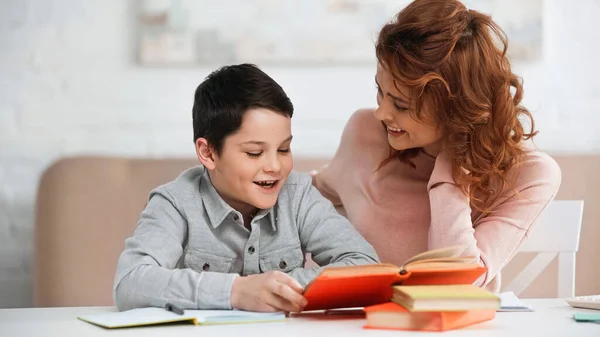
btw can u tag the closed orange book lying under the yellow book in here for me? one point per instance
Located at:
(394, 317)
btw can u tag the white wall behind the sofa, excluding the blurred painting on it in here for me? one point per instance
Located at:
(68, 85)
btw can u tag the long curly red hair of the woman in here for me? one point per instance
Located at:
(454, 60)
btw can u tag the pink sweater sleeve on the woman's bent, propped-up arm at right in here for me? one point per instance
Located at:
(494, 238)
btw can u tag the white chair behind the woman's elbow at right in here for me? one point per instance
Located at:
(557, 234)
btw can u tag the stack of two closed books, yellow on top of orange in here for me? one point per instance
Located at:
(433, 308)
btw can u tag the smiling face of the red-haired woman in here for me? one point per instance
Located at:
(403, 130)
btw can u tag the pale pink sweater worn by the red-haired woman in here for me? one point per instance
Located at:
(403, 211)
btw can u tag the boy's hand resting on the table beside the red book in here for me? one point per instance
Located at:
(271, 291)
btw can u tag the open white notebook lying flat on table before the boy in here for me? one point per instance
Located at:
(152, 316)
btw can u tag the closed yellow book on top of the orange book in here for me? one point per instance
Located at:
(444, 298)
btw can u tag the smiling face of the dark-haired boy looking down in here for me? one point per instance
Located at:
(254, 162)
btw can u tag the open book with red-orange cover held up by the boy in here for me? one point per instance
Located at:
(360, 286)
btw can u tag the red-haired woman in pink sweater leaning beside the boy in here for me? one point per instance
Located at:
(444, 159)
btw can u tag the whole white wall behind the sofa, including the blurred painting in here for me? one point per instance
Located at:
(116, 78)
